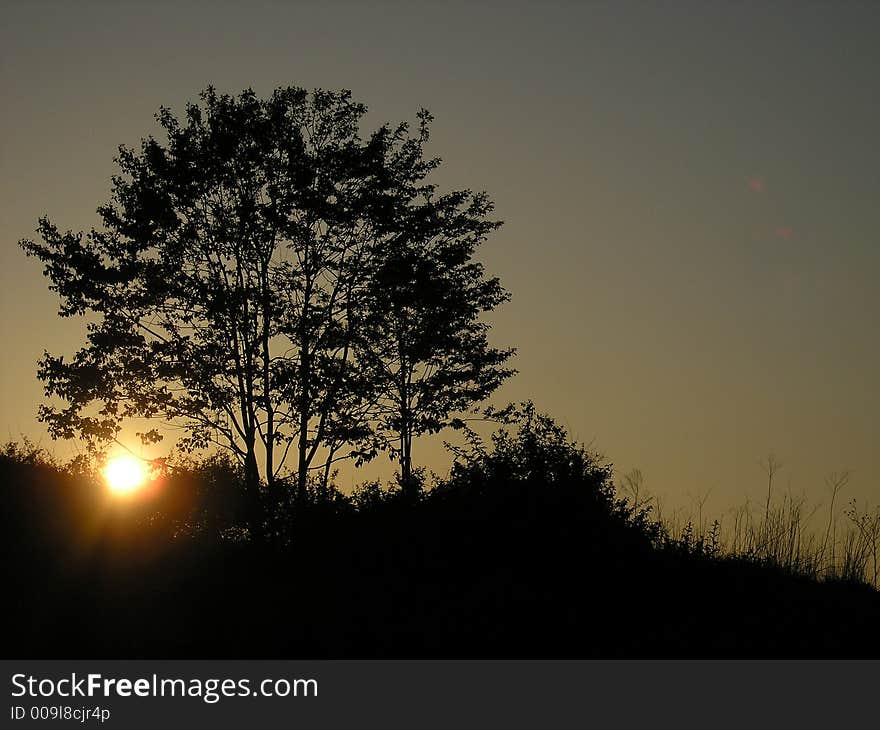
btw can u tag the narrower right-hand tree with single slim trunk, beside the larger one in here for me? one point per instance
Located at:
(426, 346)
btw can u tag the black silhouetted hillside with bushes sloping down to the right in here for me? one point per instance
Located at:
(524, 552)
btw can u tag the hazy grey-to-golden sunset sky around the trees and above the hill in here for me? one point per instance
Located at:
(689, 191)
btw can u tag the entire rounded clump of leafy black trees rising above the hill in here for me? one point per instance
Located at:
(236, 288)
